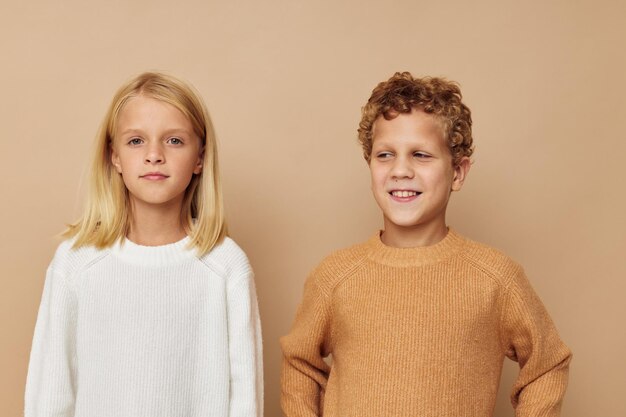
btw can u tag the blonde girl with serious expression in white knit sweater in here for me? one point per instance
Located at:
(148, 308)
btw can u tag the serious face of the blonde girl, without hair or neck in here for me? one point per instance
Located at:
(156, 151)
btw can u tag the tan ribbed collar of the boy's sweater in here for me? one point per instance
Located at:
(451, 244)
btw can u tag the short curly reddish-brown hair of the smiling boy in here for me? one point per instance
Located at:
(402, 93)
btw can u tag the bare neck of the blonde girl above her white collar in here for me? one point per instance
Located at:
(155, 226)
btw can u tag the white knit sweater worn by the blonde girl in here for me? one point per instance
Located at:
(137, 331)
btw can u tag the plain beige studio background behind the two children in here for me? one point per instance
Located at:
(284, 82)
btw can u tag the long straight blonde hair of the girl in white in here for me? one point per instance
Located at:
(106, 217)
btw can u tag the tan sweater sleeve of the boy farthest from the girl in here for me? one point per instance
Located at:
(531, 339)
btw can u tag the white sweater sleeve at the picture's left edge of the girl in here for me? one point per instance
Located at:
(51, 381)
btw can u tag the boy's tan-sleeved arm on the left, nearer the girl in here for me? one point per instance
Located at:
(304, 372)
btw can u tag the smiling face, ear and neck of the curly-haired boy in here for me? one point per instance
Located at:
(412, 177)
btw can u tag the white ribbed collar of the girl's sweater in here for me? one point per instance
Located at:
(169, 254)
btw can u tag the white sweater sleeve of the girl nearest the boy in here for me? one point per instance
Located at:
(245, 347)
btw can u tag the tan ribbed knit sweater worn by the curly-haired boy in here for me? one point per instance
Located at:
(420, 332)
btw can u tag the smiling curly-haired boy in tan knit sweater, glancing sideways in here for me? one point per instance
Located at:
(418, 319)
